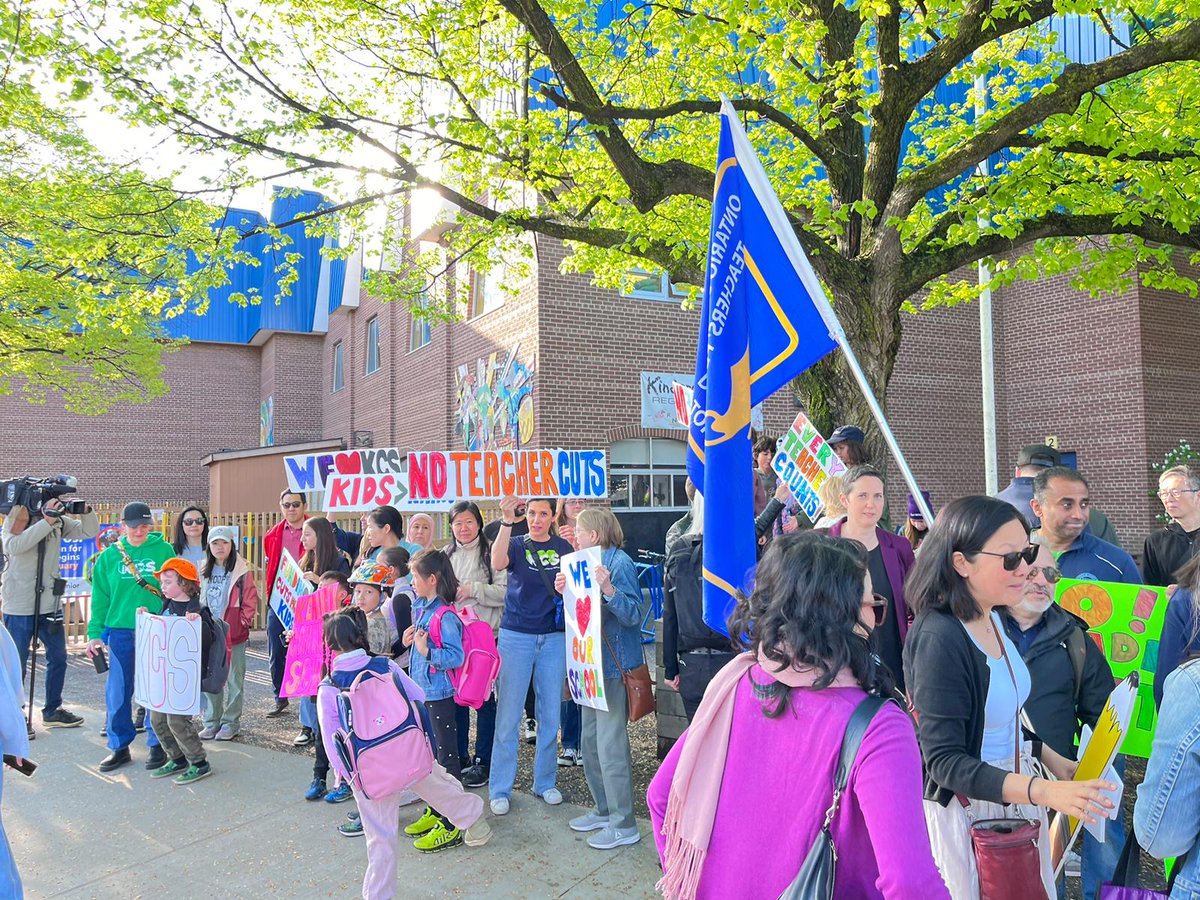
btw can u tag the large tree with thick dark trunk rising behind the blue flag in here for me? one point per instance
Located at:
(595, 124)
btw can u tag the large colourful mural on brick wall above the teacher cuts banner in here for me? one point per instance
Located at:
(495, 410)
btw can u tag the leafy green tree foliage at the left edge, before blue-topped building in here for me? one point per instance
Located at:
(94, 255)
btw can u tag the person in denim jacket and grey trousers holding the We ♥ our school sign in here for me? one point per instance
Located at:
(607, 759)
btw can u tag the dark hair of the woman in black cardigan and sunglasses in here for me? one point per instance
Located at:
(964, 526)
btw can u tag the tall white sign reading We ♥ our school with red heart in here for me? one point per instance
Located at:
(581, 613)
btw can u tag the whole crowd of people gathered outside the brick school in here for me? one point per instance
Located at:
(922, 673)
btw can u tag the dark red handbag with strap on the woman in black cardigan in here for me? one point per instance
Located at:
(1007, 849)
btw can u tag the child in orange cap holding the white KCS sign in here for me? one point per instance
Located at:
(181, 740)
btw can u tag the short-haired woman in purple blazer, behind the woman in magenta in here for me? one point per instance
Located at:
(889, 559)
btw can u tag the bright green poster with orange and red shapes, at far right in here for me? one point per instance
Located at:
(1126, 621)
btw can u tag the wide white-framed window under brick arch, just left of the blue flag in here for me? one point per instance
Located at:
(649, 473)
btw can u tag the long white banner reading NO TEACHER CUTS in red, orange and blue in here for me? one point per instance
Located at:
(439, 479)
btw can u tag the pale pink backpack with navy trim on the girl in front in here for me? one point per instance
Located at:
(382, 733)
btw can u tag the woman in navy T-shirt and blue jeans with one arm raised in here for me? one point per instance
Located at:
(532, 649)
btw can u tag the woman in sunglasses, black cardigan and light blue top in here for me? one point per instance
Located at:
(968, 685)
